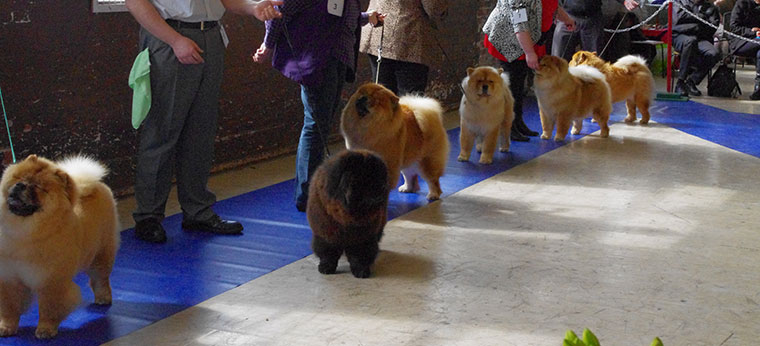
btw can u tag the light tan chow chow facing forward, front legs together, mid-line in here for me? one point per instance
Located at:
(487, 106)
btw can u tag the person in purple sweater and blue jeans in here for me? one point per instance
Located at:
(315, 43)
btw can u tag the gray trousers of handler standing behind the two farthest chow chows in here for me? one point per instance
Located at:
(589, 34)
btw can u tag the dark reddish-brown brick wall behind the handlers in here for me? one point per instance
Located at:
(63, 74)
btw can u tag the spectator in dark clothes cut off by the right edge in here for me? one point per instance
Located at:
(745, 21)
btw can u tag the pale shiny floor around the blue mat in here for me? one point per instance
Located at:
(652, 232)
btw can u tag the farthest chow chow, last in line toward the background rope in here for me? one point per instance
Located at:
(629, 79)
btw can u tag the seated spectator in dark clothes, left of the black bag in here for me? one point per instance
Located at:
(693, 40)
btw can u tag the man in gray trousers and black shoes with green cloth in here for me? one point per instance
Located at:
(186, 46)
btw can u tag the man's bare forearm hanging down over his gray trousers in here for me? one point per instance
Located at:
(186, 50)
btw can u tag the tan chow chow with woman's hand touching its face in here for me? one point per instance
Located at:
(568, 94)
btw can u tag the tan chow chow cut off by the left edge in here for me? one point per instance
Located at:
(56, 219)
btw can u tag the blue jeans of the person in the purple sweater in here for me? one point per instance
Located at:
(319, 105)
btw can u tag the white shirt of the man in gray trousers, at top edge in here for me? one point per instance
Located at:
(190, 10)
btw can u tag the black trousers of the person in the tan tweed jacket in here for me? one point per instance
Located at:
(401, 77)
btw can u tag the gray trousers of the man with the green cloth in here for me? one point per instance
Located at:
(179, 131)
